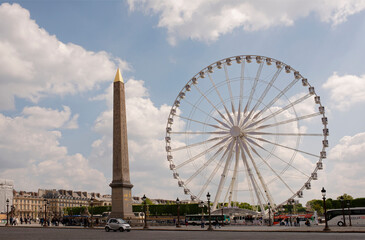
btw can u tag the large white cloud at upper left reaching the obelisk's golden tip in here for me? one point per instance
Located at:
(35, 64)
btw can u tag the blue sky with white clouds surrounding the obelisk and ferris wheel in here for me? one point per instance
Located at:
(58, 60)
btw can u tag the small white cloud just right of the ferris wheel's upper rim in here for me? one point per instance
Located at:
(345, 90)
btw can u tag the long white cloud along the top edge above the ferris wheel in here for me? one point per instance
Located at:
(207, 20)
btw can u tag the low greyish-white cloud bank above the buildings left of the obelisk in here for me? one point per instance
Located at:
(32, 155)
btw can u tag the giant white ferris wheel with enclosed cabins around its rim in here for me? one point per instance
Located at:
(246, 129)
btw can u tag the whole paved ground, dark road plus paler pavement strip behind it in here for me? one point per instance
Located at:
(227, 232)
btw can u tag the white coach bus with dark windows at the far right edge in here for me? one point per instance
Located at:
(335, 216)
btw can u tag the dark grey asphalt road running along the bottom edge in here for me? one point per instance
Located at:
(61, 233)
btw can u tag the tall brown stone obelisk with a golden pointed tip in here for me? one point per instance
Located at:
(121, 184)
